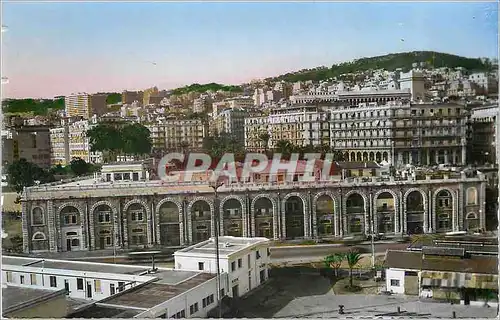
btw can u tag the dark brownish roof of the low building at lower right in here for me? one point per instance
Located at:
(411, 260)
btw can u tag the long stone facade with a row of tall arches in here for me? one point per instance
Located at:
(148, 214)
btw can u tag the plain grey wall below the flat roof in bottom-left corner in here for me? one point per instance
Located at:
(53, 308)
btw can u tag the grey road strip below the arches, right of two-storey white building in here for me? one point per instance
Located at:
(320, 251)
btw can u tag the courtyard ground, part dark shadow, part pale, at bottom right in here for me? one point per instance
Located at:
(303, 293)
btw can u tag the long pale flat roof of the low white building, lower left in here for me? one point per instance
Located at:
(72, 265)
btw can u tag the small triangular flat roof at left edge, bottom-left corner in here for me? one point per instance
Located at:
(14, 298)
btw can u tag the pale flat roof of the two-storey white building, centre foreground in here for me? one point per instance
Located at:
(227, 245)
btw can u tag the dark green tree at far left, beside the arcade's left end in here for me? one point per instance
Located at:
(22, 173)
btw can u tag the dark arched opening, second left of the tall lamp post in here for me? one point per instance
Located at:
(169, 224)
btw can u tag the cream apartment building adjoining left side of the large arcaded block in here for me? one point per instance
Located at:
(300, 124)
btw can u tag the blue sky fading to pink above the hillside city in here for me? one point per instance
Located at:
(55, 48)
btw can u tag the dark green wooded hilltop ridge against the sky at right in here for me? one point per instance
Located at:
(388, 62)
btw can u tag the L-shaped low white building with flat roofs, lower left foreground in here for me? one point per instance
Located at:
(118, 291)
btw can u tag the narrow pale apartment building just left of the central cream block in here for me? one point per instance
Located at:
(231, 121)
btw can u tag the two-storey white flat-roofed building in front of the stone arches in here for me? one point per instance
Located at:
(245, 260)
